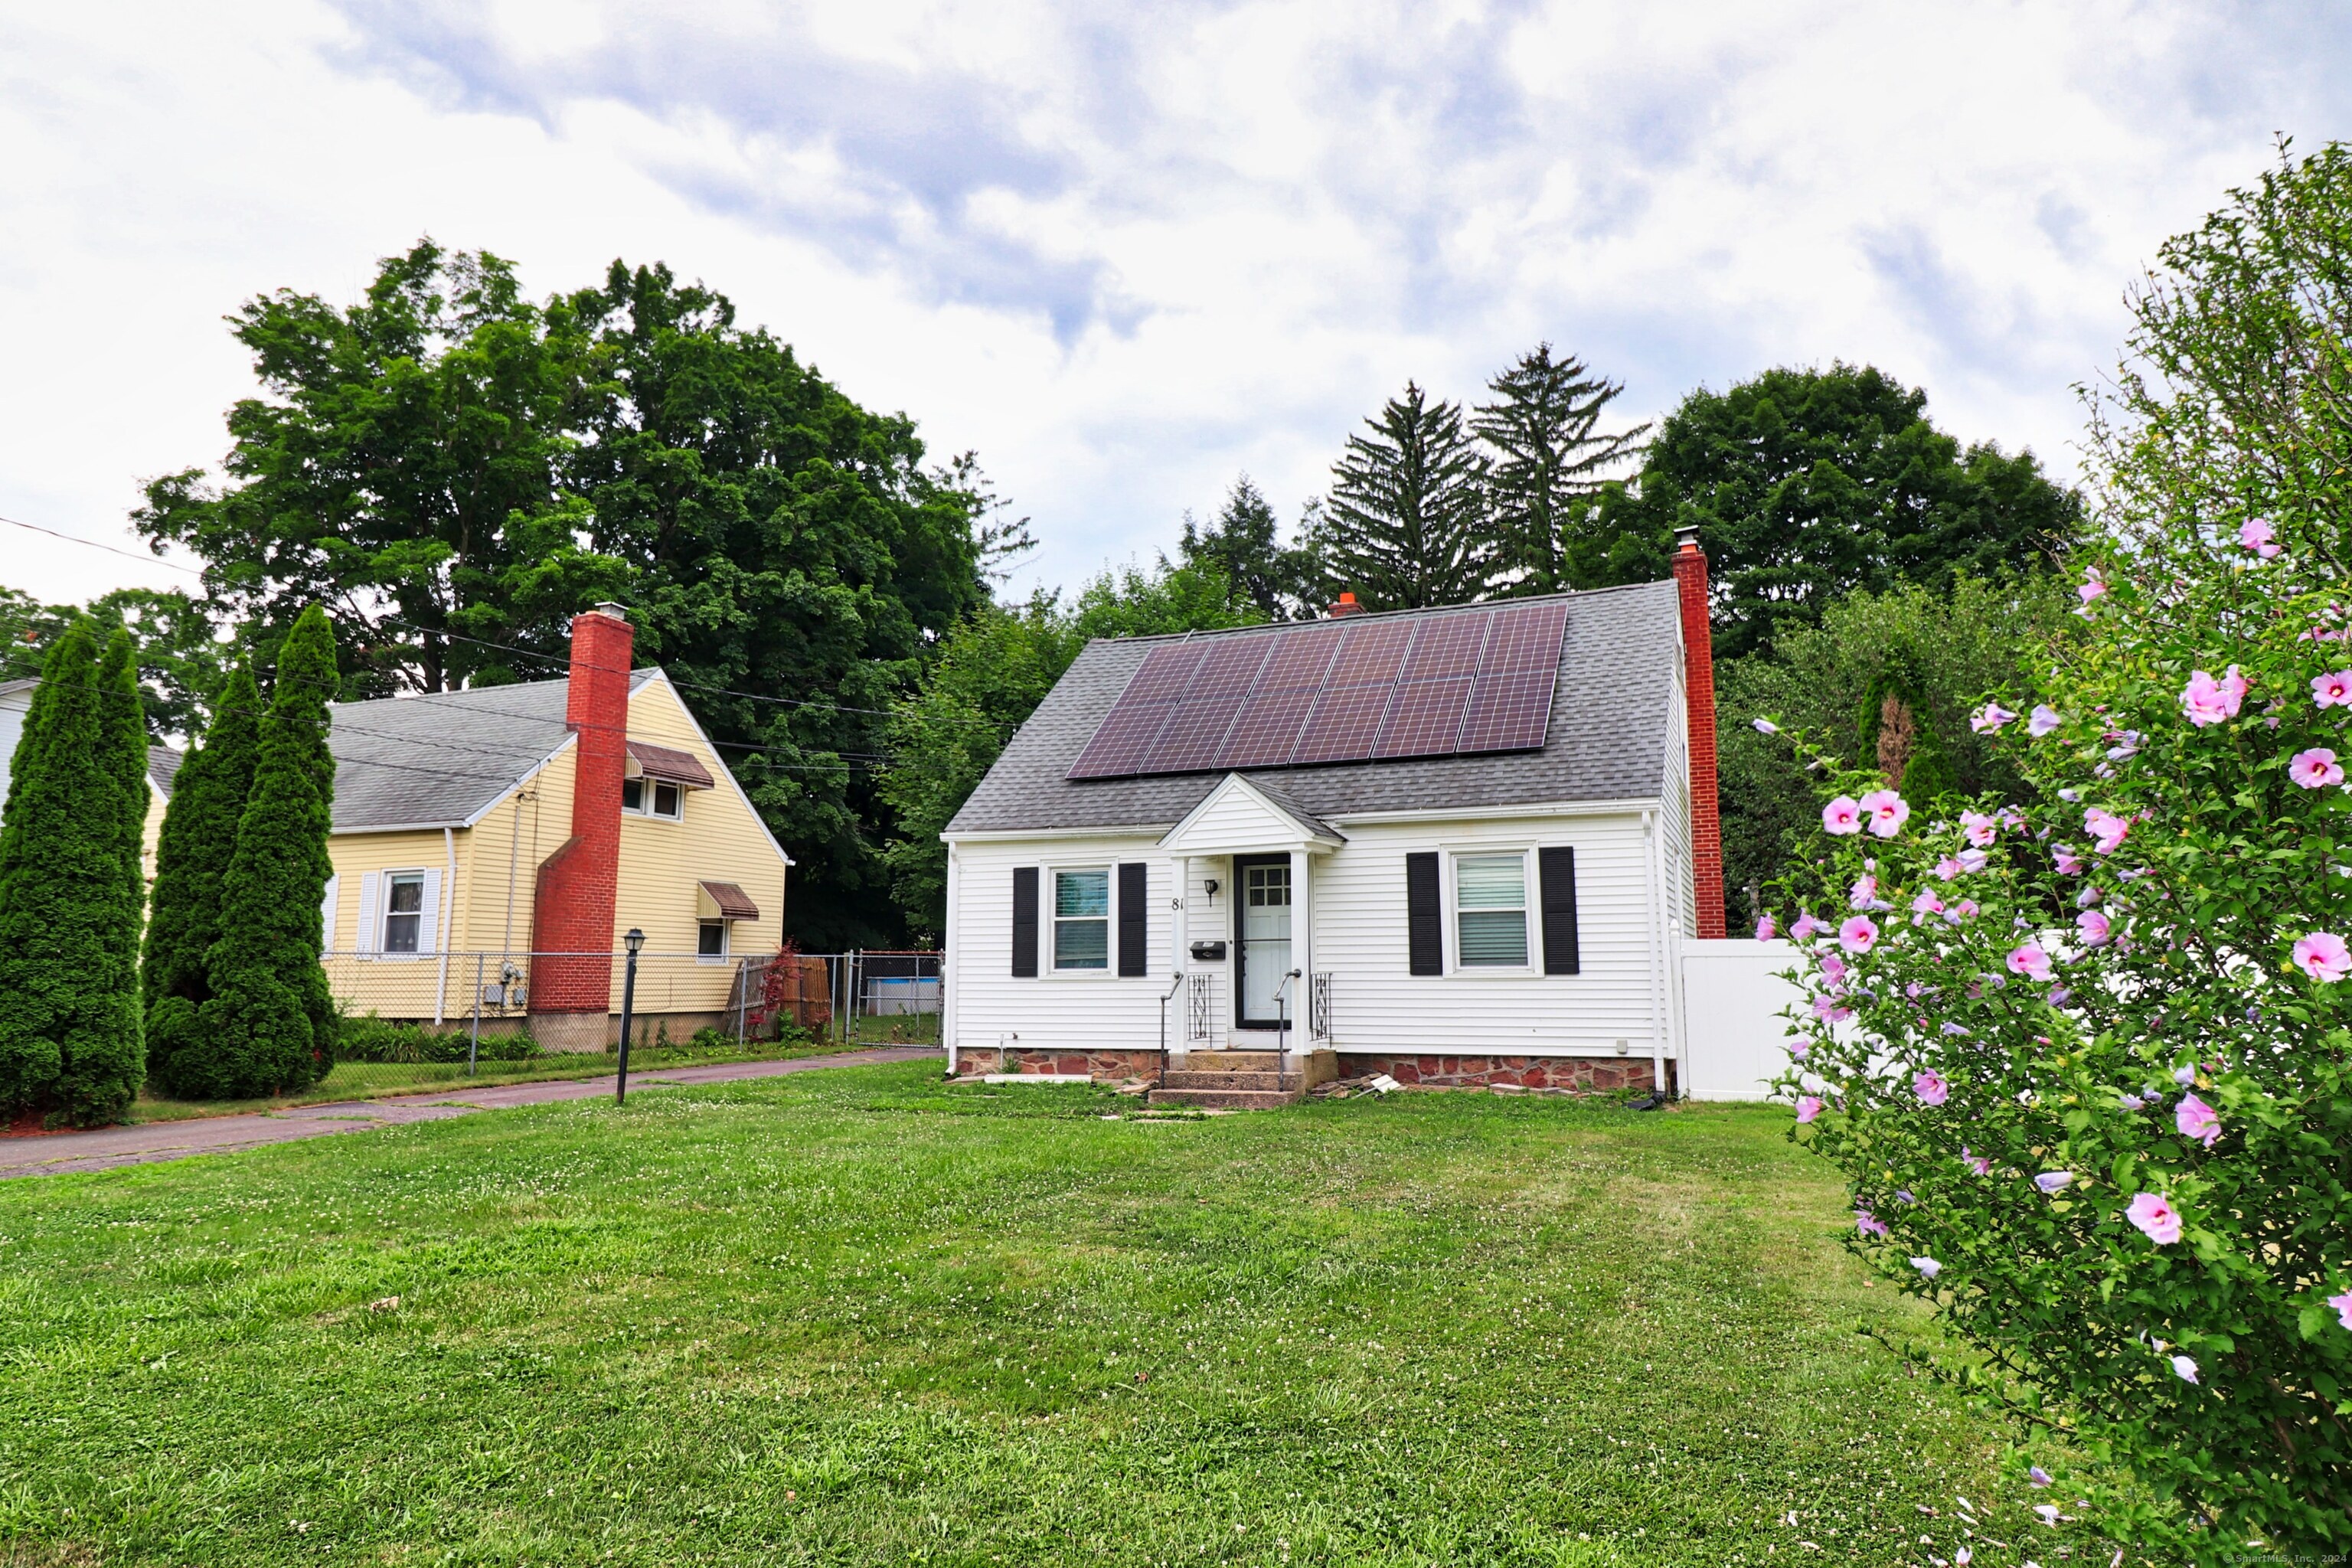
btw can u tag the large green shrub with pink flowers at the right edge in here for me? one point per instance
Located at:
(2085, 1057)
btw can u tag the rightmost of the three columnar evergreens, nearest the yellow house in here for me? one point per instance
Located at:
(269, 1024)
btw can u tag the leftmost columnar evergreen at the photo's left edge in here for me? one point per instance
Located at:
(69, 890)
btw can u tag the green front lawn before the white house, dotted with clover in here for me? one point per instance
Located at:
(867, 1318)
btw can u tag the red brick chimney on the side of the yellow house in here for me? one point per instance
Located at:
(580, 883)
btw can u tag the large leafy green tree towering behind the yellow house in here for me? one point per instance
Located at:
(453, 471)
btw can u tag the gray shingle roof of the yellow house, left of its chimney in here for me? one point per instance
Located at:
(439, 760)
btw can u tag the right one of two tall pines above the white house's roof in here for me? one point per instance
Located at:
(1544, 424)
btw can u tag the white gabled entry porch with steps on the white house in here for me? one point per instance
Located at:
(1257, 1007)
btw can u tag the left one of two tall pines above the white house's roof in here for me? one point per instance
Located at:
(1405, 523)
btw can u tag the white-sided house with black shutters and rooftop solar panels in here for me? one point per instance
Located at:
(1462, 847)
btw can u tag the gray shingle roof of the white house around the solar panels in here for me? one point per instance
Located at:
(1612, 716)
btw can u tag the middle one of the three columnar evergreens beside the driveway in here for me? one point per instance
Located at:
(192, 859)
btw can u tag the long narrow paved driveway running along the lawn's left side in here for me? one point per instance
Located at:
(152, 1141)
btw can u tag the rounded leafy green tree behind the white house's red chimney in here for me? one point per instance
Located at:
(1815, 483)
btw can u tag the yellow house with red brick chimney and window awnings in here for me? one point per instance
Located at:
(450, 808)
